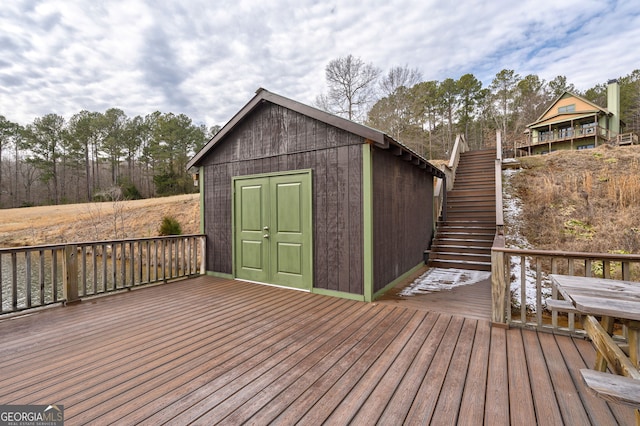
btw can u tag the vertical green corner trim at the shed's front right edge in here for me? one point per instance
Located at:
(367, 221)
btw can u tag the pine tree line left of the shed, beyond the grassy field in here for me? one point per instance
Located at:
(97, 156)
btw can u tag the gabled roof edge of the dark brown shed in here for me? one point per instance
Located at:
(376, 137)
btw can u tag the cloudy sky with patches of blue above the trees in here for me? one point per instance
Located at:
(206, 58)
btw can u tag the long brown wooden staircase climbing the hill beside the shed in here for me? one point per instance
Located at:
(464, 240)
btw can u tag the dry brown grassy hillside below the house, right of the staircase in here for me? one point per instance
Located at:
(584, 201)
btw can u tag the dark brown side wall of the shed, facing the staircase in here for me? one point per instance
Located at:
(402, 216)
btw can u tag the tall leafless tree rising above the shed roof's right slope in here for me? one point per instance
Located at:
(351, 85)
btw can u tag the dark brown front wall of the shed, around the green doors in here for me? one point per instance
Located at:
(274, 139)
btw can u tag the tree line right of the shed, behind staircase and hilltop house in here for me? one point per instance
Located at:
(426, 115)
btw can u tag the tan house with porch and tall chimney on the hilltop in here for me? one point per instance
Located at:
(572, 122)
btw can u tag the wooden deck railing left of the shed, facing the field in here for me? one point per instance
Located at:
(37, 276)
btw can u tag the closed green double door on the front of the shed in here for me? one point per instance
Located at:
(273, 233)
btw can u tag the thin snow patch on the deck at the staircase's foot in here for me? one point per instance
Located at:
(437, 279)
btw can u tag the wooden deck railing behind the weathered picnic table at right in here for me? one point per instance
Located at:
(528, 271)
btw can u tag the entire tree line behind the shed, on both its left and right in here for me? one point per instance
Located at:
(101, 156)
